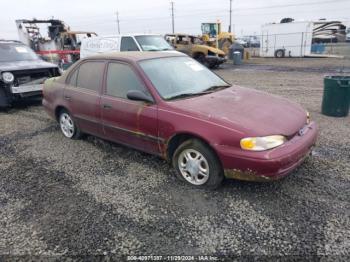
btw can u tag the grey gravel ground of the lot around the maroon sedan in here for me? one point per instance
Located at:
(92, 197)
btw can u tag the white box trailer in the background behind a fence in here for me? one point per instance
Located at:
(286, 39)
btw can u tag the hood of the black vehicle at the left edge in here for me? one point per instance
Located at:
(25, 65)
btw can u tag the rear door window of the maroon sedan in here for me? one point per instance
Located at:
(90, 75)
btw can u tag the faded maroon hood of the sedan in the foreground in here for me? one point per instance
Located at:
(253, 112)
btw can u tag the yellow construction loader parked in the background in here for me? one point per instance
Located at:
(212, 36)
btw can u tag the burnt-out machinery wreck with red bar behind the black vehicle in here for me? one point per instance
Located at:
(60, 45)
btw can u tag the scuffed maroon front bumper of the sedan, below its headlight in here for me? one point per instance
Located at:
(271, 164)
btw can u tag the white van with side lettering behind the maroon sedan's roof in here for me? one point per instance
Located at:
(118, 43)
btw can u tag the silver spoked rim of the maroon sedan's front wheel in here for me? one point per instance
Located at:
(193, 167)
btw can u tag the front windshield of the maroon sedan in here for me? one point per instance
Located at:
(176, 77)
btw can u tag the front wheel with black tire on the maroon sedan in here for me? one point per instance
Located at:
(204, 169)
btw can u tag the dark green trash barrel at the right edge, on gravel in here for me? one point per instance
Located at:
(336, 96)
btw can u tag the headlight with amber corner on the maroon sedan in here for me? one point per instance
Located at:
(262, 143)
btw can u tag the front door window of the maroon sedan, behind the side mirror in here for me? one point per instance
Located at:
(121, 79)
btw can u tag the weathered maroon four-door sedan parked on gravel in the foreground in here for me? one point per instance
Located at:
(169, 105)
